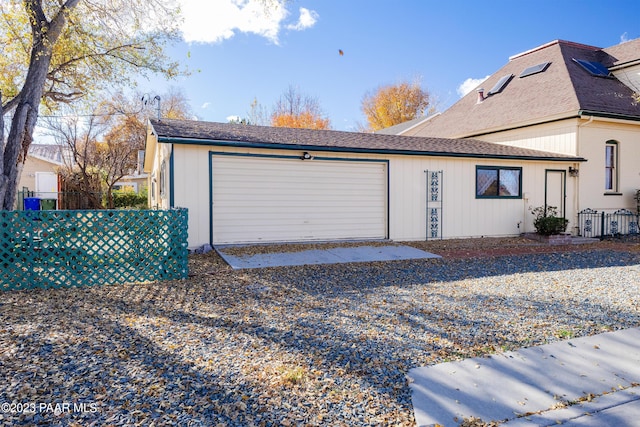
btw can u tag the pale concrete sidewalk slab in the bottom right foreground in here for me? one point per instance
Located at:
(590, 381)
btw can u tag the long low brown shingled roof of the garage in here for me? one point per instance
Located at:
(227, 134)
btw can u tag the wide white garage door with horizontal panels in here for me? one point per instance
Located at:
(267, 199)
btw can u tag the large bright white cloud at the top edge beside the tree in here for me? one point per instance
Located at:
(213, 21)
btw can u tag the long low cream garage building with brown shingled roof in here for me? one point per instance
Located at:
(246, 184)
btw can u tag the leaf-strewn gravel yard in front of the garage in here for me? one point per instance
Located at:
(311, 345)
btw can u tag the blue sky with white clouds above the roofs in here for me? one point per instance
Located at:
(237, 53)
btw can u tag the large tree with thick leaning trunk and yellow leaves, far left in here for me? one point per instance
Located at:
(56, 52)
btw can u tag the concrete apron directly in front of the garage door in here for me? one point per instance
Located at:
(337, 255)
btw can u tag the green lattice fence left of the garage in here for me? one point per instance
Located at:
(54, 249)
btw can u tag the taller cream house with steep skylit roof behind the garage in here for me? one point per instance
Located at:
(567, 98)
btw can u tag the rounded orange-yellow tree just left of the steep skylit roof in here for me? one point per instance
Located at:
(394, 104)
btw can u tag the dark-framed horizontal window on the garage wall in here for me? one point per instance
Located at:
(498, 182)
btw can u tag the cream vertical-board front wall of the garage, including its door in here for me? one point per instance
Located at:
(258, 195)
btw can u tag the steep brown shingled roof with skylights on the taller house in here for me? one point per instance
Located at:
(564, 89)
